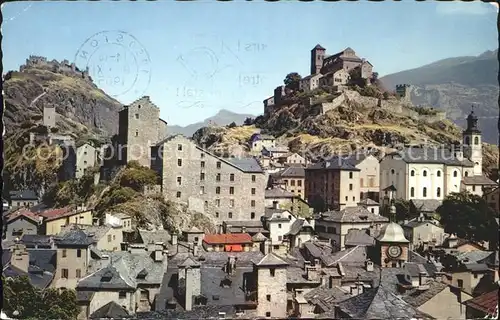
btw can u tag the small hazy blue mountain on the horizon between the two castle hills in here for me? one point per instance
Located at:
(222, 118)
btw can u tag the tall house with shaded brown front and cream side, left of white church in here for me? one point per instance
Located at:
(332, 184)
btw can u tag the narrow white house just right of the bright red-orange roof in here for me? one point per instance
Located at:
(278, 222)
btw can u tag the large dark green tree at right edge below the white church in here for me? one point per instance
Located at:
(469, 216)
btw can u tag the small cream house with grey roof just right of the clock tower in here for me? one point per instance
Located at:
(421, 232)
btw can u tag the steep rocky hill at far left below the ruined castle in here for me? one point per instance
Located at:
(77, 100)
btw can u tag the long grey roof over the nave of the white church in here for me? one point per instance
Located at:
(430, 155)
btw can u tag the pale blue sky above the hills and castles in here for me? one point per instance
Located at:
(195, 58)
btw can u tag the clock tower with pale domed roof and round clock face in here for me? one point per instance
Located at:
(392, 246)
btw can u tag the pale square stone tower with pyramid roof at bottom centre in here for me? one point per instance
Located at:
(271, 287)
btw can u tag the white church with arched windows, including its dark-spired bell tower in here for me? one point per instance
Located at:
(432, 173)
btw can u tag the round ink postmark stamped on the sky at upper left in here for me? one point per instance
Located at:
(117, 63)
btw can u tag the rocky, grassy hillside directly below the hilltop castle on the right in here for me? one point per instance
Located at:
(356, 122)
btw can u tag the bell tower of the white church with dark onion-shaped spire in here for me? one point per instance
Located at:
(472, 144)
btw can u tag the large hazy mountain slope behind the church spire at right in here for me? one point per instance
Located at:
(454, 84)
